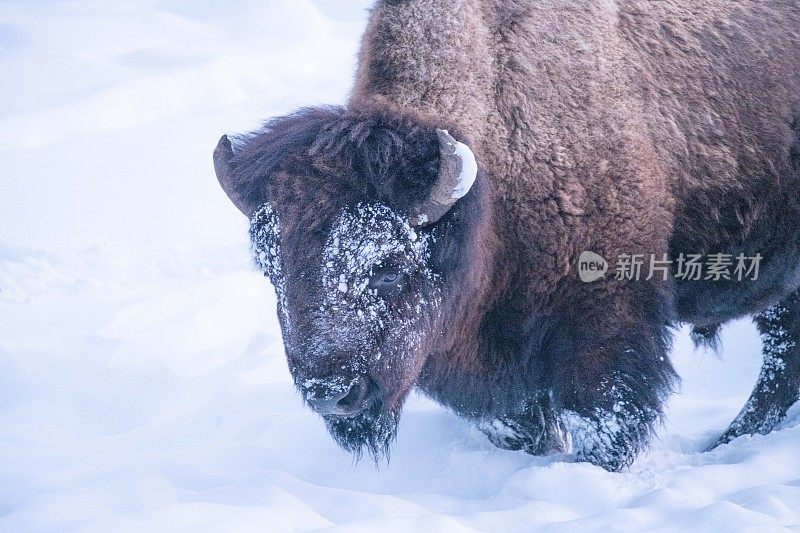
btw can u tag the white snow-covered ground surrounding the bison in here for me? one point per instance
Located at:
(142, 380)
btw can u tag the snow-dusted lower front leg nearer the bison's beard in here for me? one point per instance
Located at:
(536, 430)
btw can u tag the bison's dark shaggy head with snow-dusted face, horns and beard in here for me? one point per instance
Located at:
(361, 220)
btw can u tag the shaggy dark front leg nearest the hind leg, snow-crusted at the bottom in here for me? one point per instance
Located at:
(613, 386)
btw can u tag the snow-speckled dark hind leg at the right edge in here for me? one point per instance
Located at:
(778, 386)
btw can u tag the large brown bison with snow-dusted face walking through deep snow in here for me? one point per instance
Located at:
(429, 233)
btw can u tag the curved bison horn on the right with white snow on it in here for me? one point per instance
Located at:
(457, 172)
